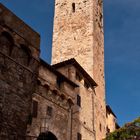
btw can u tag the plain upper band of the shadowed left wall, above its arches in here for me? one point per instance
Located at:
(9, 19)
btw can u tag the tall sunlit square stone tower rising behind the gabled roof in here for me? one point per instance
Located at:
(78, 33)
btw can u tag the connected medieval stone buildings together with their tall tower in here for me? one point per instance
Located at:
(55, 102)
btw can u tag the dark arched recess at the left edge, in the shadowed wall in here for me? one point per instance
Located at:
(6, 43)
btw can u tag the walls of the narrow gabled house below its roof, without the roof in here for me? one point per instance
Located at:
(83, 115)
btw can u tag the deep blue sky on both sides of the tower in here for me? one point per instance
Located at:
(122, 48)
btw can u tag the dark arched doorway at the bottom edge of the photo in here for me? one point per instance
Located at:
(47, 136)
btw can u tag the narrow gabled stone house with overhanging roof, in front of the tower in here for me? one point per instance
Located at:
(82, 115)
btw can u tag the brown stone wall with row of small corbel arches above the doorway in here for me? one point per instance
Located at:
(59, 98)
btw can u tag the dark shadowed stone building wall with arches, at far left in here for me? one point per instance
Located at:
(18, 74)
